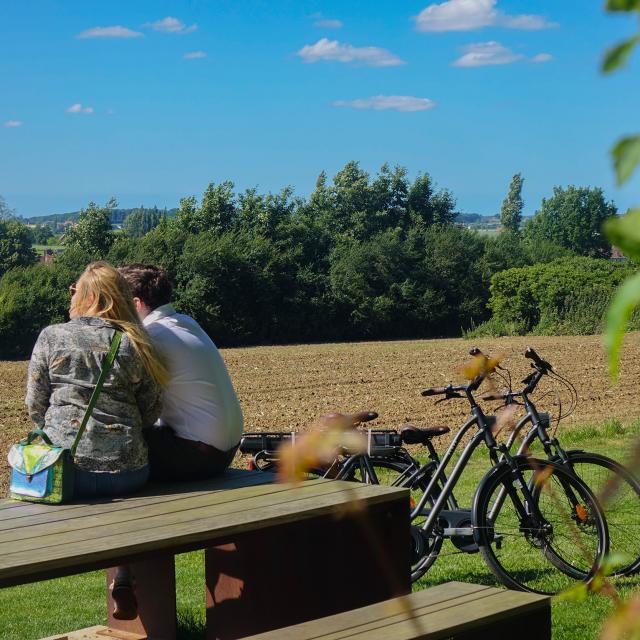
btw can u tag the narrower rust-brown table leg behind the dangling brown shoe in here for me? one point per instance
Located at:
(155, 585)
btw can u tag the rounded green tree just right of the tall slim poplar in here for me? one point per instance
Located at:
(573, 218)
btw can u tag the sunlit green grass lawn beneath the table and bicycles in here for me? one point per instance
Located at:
(32, 611)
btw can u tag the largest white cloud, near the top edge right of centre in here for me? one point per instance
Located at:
(470, 15)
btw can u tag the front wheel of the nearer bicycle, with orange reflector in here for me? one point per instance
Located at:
(545, 559)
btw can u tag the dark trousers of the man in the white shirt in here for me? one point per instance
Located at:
(172, 458)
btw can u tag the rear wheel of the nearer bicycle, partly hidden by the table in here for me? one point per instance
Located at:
(398, 472)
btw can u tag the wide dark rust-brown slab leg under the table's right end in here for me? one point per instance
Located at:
(301, 571)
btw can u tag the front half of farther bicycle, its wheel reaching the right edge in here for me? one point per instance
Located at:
(606, 477)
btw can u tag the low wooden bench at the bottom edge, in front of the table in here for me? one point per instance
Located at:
(453, 610)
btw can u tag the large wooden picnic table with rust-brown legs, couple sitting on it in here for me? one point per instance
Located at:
(275, 555)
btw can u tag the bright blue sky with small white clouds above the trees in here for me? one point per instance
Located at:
(151, 100)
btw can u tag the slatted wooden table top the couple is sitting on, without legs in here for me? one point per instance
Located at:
(39, 541)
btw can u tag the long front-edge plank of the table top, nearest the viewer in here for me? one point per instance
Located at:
(16, 567)
